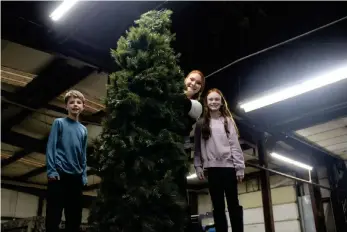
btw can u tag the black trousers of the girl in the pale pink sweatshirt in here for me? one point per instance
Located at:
(223, 181)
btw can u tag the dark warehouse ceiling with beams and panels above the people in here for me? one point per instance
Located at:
(37, 56)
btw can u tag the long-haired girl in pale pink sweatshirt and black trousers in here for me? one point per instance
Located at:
(218, 150)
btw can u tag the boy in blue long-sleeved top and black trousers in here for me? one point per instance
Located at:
(66, 166)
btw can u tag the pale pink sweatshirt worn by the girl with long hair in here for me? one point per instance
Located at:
(218, 150)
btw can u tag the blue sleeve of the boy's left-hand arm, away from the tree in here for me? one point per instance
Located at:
(51, 150)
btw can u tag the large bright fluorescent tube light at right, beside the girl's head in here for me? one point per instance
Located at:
(326, 79)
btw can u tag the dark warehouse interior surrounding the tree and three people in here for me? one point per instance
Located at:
(41, 60)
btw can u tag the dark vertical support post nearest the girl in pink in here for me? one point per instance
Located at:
(265, 187)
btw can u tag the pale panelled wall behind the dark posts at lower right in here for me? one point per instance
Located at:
(284, 199)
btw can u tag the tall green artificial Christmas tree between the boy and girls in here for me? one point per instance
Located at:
(139, 154)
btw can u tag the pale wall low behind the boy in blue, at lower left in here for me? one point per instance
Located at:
(16, 204)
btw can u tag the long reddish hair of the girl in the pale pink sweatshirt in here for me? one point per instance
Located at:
(225, 113)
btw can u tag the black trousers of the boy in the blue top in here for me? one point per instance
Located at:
(66, 194)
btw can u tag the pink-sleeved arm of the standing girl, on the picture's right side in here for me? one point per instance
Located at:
(236, 151)
